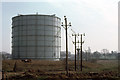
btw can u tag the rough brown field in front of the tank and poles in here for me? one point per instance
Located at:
(55, 70)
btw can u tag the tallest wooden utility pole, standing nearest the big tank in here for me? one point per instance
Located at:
(66, 43)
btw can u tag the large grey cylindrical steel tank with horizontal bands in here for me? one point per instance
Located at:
(36, 37)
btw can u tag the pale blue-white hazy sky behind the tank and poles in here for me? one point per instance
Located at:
(98, 19)
